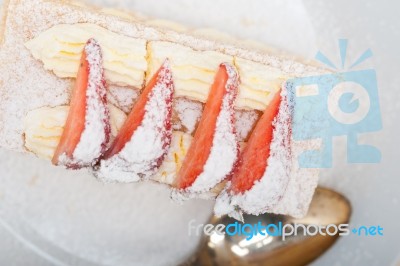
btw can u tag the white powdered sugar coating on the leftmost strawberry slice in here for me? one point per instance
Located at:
(96, 133)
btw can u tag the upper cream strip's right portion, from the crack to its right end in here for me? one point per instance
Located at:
(194, 73)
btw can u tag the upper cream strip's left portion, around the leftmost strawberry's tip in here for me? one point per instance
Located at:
(124, 57)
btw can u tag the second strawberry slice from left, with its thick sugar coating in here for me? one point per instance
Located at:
(144, 139)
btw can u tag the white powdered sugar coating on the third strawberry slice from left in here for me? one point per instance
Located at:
(224, 150)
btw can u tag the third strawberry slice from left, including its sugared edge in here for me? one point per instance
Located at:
(214, 148)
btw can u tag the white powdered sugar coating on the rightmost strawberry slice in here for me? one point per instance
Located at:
(269, 190)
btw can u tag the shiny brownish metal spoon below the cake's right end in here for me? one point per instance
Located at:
(327, 207)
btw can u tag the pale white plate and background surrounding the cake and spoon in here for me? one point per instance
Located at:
(36, 191)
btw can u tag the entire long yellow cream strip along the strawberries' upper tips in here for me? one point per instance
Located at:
(128, 61)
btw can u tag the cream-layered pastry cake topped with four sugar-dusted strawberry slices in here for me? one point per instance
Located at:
(131, 100)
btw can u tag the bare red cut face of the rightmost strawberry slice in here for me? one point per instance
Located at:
(252, 163)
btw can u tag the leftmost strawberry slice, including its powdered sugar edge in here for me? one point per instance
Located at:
(87, 130)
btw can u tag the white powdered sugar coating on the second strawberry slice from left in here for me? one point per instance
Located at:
(143, 154)
